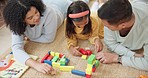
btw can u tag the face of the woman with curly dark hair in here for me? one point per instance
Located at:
(32, 16)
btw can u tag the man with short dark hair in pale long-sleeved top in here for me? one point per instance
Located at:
(125, 33)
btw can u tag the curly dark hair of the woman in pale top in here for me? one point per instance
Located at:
(15, 11)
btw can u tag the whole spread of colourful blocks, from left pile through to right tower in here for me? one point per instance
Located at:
(60, 61)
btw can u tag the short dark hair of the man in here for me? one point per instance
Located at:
(116, 11)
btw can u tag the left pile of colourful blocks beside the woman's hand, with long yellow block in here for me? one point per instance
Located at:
(57, 60)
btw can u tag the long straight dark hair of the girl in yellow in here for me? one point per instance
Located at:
(77, 7)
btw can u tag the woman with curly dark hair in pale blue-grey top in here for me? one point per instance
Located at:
(31, 18)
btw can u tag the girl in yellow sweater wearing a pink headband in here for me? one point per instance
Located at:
(80, 25)
